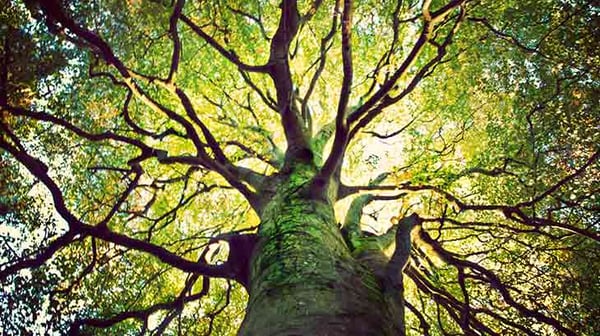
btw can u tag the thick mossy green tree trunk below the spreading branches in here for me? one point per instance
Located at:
(304, 280)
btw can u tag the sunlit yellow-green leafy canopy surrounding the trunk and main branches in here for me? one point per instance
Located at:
(506, 120)
